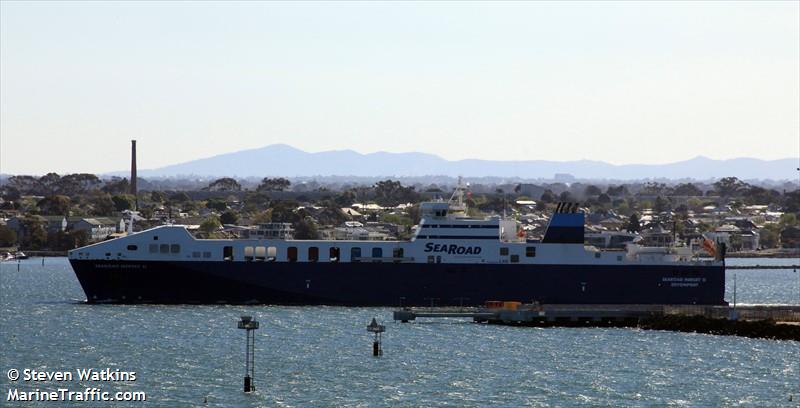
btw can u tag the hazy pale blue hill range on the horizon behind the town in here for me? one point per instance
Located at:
(287, 161)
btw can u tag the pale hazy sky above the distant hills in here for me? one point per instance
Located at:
(627, 82)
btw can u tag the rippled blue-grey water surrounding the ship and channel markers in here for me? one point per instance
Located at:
(321, 356)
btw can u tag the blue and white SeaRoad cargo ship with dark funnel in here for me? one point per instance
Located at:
(451, 259)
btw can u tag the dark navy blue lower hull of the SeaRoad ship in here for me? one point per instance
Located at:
(390, 284)
